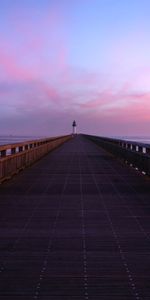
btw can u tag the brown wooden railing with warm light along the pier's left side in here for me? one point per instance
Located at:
(16, 157)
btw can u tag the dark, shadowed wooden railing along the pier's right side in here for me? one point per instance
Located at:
(136, 154)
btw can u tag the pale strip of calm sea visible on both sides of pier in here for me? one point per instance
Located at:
(12, 139)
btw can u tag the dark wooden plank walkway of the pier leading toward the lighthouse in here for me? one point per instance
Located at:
(75, 226)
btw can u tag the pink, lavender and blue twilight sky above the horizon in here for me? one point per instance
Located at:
(83, 60)
